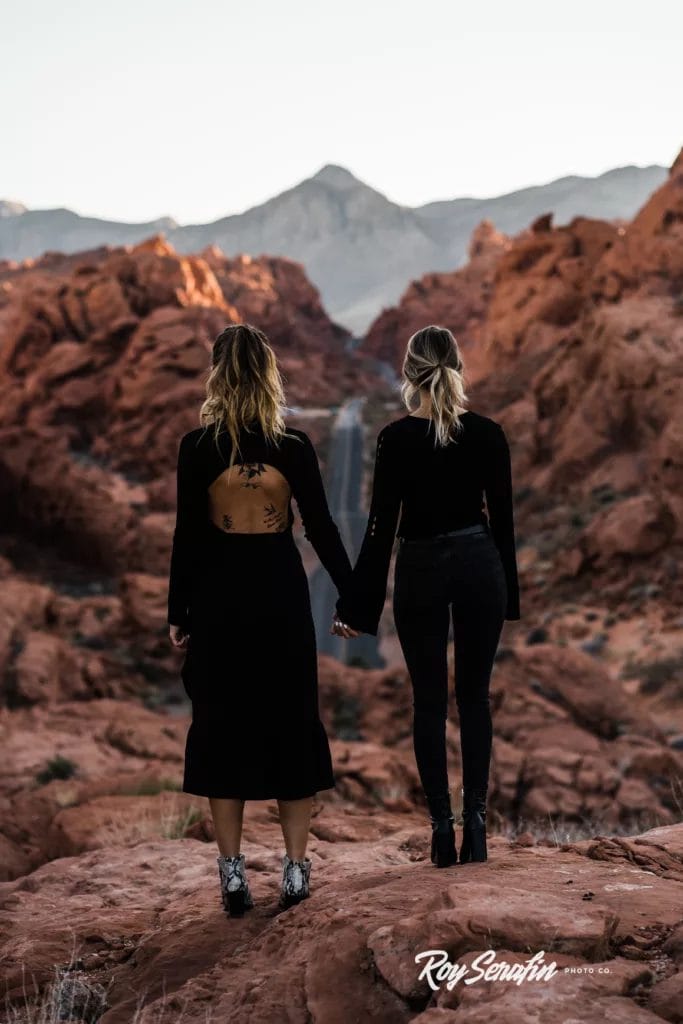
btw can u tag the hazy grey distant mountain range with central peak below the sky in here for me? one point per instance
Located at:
(358, 247)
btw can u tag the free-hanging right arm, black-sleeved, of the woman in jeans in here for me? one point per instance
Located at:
(498, 488)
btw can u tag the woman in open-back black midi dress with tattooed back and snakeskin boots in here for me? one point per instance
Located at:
(239, 606)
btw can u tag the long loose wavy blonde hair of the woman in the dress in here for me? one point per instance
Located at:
(244, 389)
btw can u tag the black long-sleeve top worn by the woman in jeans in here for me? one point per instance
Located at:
(437, 490)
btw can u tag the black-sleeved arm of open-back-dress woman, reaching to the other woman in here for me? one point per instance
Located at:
(320, 528)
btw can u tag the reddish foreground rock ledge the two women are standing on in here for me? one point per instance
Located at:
(143, 936)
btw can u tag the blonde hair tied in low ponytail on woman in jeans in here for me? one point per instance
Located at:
(434, 363)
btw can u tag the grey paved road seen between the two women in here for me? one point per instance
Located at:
(345, 488)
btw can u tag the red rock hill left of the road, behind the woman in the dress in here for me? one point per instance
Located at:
(102, 371)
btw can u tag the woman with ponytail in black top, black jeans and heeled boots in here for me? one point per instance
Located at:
(455, 564)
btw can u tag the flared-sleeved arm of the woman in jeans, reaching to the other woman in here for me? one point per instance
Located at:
(361, 607)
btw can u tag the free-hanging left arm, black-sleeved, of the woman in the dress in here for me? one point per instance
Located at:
(191, 509)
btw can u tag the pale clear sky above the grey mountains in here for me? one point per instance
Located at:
(196, 110)
